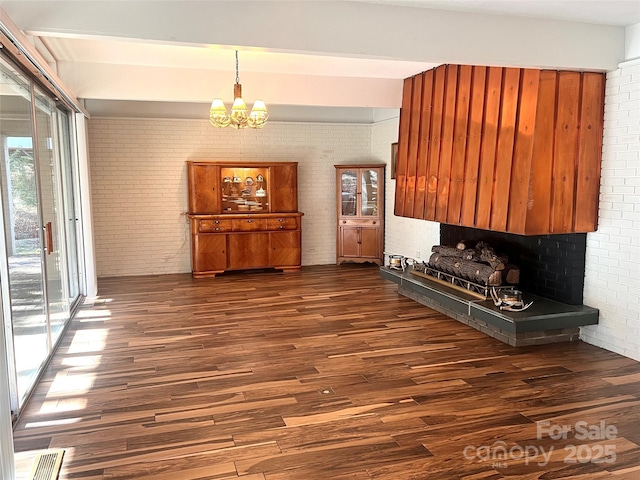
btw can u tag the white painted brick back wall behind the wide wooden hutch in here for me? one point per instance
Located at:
(139, 184)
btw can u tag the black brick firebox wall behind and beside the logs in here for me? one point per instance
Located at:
(551, 266)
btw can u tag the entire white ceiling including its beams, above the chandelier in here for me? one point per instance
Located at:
(310, 61)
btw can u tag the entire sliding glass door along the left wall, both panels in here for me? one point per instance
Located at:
(39, 274)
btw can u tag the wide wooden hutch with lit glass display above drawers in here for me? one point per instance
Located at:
(243, 216)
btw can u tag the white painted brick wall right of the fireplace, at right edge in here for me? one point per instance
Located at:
(612, 276)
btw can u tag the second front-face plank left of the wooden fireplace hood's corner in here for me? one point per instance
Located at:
(504, 154)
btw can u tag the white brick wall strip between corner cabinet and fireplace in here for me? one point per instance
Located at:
(403, 236)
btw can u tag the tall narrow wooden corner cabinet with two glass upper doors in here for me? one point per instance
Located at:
(360, 205)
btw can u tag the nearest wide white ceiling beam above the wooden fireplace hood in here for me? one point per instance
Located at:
(352, 29)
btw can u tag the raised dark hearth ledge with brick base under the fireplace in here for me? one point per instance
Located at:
(546, 321)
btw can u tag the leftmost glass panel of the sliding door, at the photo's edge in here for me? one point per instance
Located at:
(23, 280)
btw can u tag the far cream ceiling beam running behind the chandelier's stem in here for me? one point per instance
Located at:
(135, 82)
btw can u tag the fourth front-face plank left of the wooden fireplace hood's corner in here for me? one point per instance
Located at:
(474, 143)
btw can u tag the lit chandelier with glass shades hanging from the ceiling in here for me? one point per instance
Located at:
(218, 116)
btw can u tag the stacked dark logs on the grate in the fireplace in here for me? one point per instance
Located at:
(480, 264)
